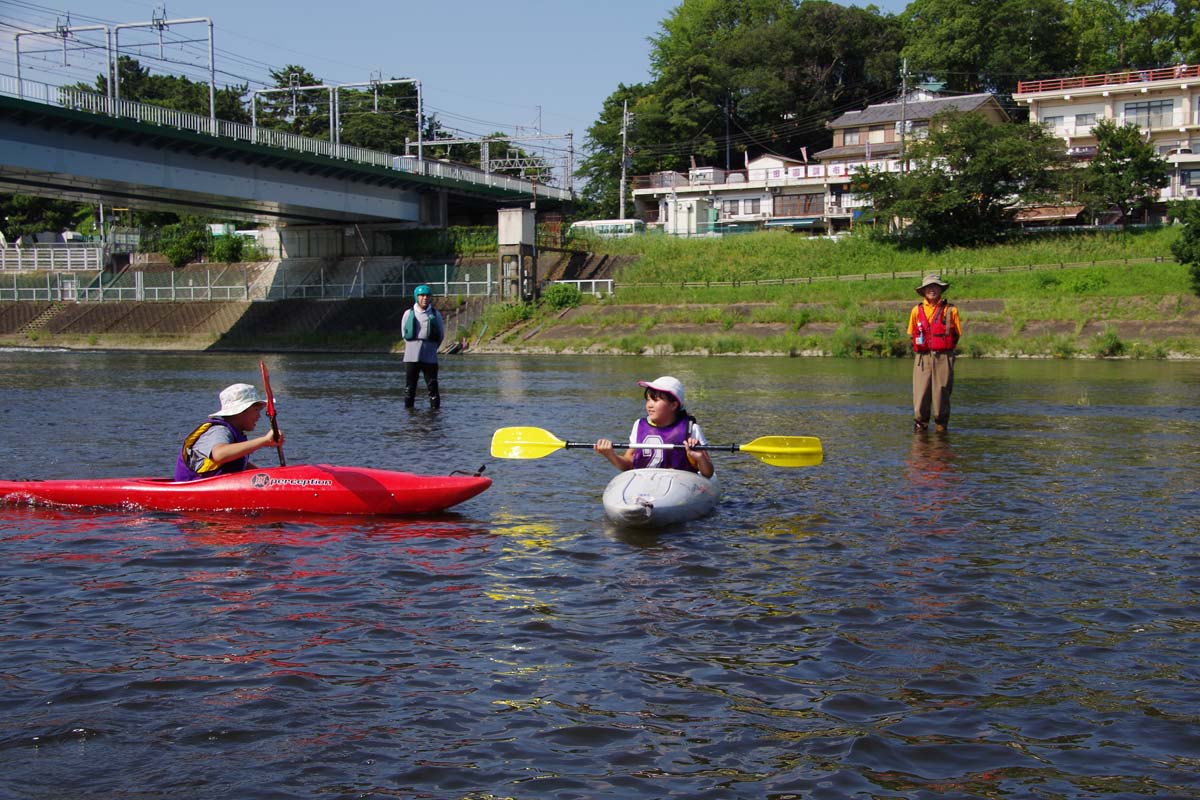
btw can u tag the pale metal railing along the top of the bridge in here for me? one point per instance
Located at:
(94, 104)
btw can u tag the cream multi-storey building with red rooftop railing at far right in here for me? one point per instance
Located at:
(1165, 103)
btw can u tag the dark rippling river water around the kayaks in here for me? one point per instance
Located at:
(1009, 611)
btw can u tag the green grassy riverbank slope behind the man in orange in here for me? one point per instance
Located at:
(1058, 297)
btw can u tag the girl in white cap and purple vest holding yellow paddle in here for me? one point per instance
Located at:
(667, 423)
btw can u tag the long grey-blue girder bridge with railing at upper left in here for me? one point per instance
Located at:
(86, 147)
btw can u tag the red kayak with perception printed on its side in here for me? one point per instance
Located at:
(305, 489)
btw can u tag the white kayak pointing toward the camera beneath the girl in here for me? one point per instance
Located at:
(652, 498)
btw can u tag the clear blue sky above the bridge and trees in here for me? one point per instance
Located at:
(484, 67)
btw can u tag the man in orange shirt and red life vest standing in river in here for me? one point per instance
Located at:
(934, 328)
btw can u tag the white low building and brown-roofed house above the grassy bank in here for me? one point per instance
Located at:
(796, 194)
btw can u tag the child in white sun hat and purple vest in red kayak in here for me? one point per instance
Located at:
(220, 446)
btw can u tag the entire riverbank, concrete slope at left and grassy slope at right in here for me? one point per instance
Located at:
(1089, 296)
